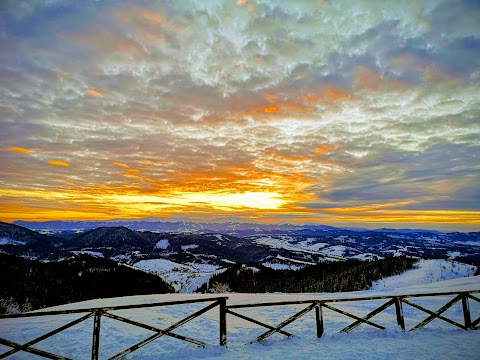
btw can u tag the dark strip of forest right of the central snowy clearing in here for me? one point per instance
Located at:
(350, 275)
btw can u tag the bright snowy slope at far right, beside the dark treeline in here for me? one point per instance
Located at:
(425, 272)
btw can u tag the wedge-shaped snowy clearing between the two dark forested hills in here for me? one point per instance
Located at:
(185, 278)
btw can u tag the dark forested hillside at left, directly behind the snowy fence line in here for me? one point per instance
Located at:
(29, 284)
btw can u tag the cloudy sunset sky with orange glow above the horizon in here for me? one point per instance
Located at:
(358, 113)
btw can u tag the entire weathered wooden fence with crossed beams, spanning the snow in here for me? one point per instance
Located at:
(317, 305)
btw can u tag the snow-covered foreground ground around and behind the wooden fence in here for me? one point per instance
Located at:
(438, 340)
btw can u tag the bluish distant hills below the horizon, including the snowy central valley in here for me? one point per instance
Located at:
(188, 254)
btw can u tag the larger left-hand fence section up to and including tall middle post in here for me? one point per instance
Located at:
(97, 313)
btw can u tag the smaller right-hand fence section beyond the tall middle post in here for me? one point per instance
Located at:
(396, 301)
